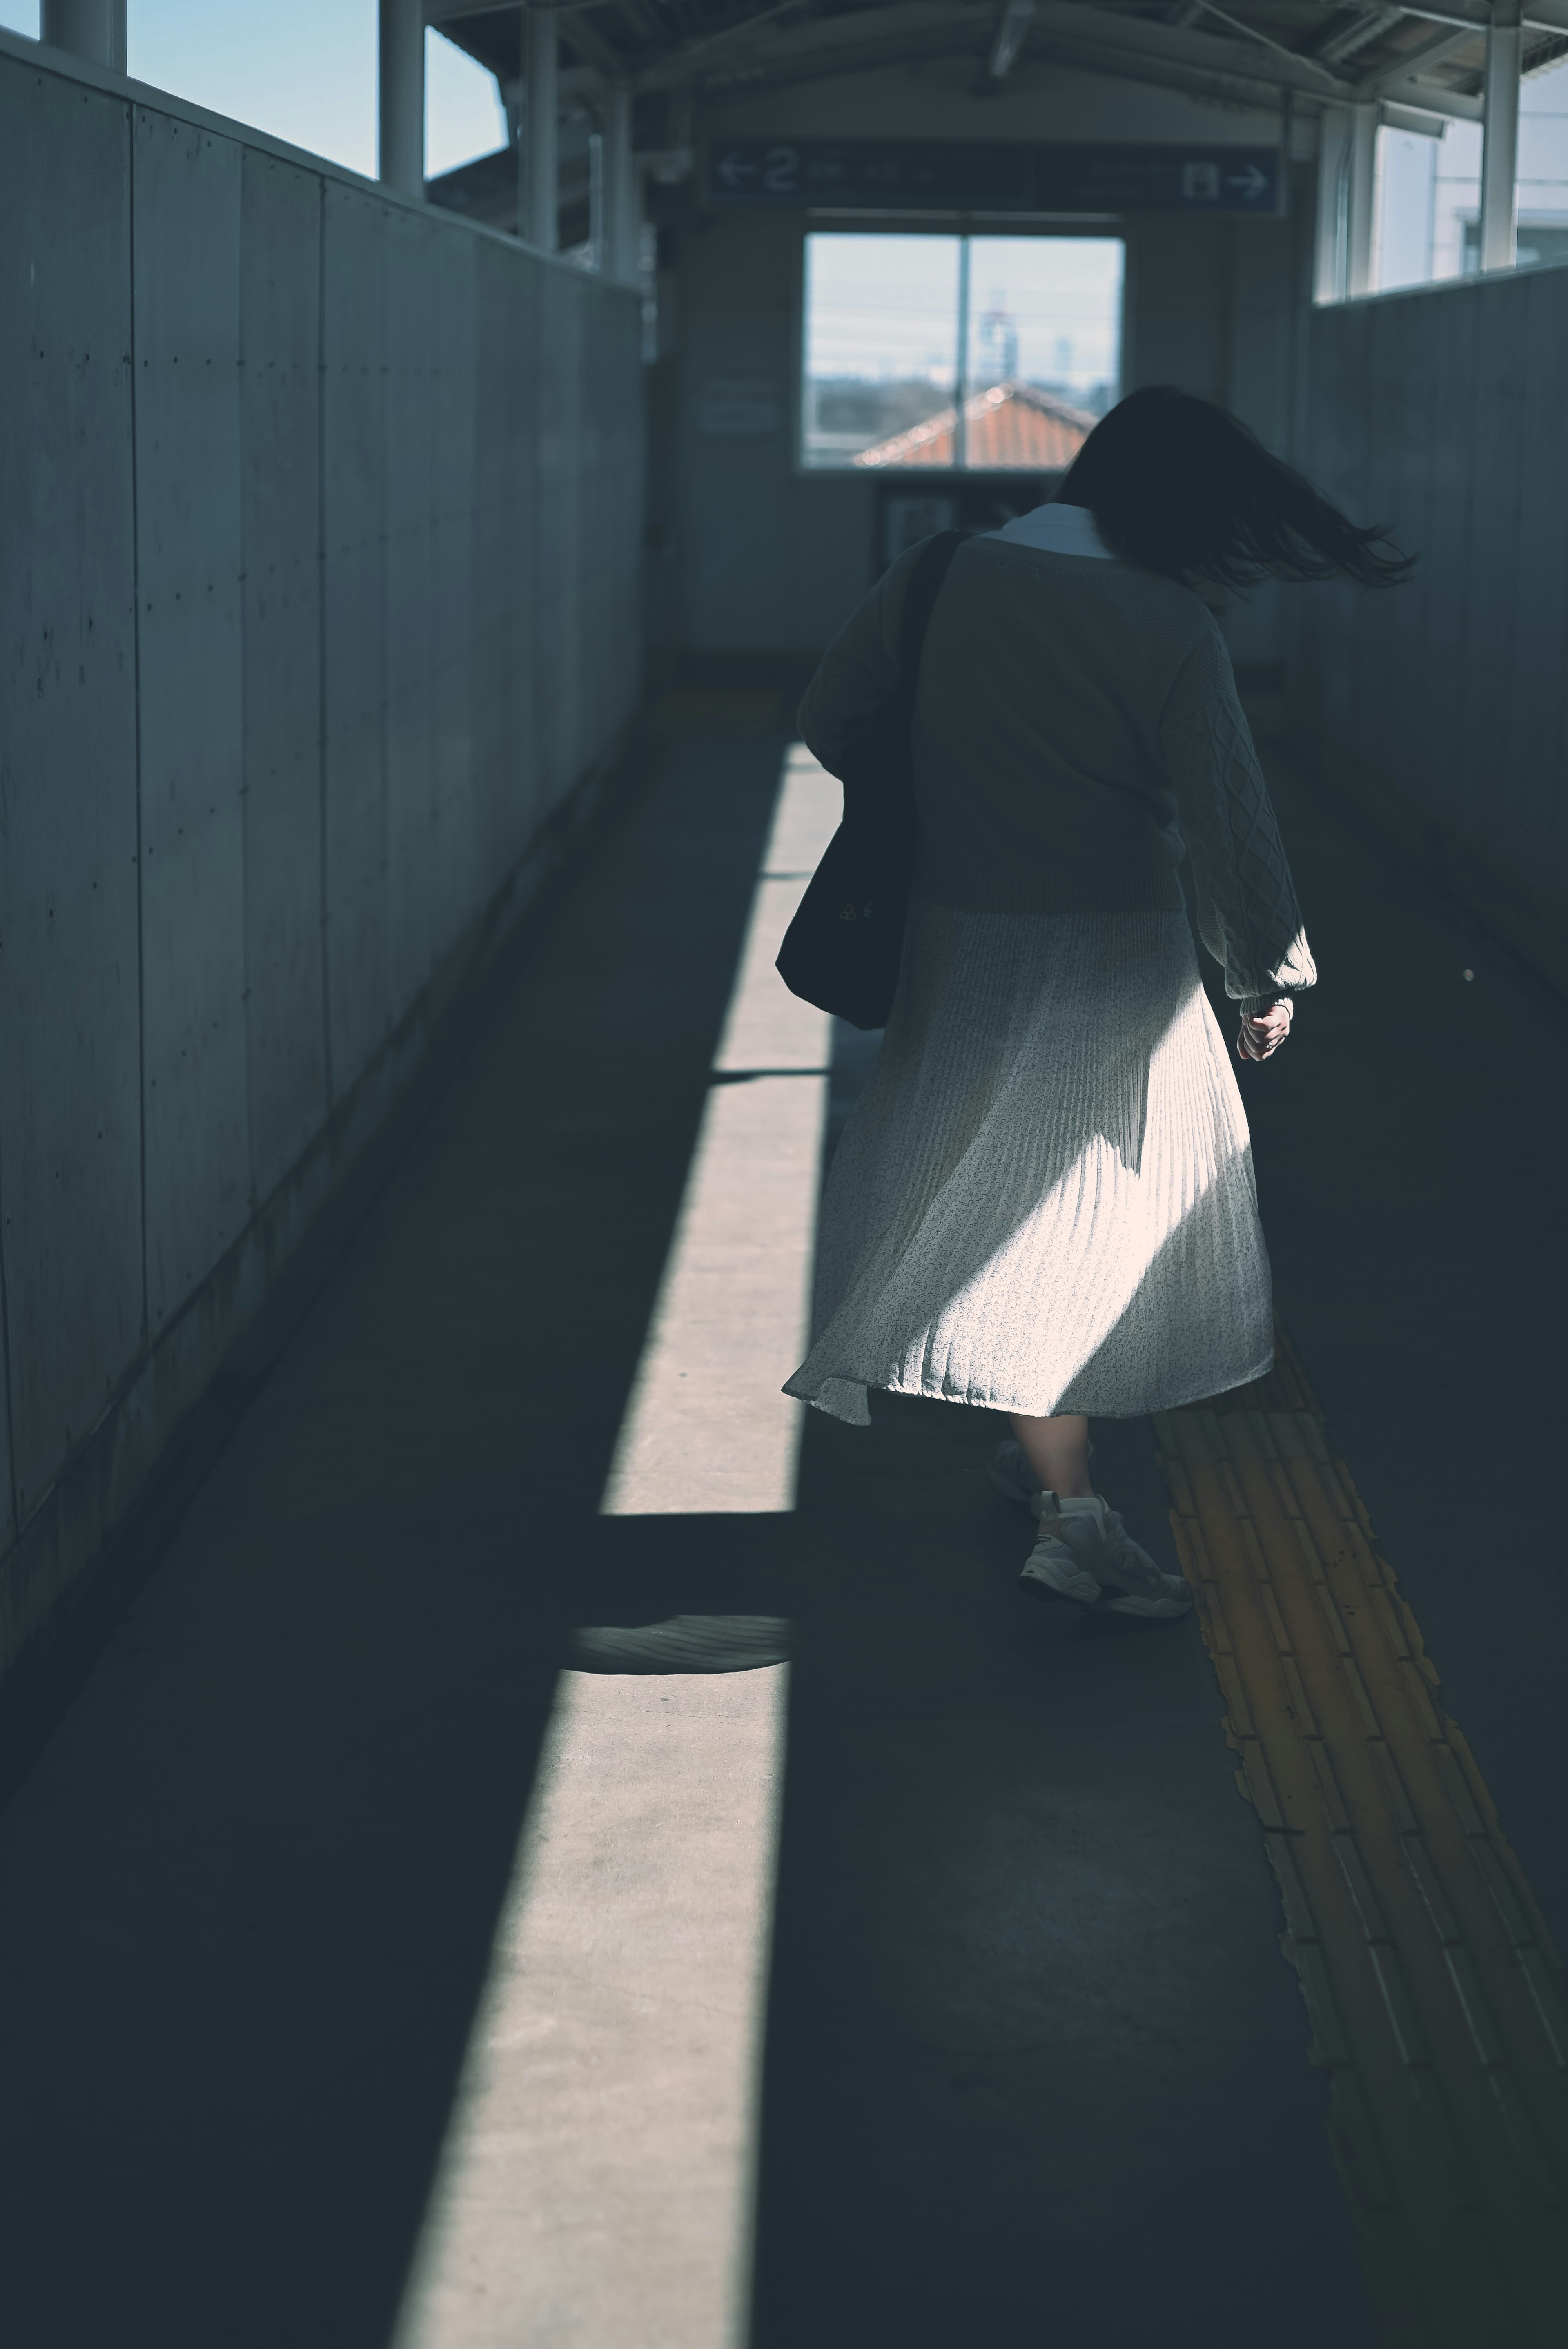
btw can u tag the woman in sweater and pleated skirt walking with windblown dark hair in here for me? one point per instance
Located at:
(1043, 1204)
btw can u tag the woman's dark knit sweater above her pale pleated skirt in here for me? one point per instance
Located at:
(1076, 734)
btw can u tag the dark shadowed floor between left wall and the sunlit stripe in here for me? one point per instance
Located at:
(250, 1887)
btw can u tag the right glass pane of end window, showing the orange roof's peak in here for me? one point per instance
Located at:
(1046, 349)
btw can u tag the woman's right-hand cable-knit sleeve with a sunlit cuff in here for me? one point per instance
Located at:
(1248, 913)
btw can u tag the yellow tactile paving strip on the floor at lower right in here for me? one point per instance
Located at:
(1431, 1981)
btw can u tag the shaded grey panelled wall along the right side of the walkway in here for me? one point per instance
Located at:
(1440, 711)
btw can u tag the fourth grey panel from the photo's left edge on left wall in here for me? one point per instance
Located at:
(356, 631)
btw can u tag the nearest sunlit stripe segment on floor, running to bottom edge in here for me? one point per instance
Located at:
(600, 2179)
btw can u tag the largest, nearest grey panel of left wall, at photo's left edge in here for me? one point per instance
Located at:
(69, 1018)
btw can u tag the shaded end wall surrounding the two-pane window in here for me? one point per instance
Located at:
(755, 556)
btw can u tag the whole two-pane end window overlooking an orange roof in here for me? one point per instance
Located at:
(959, 354)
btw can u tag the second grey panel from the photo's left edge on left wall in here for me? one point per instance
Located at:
(189, 560)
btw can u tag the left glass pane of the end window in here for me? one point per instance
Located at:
(881, 351)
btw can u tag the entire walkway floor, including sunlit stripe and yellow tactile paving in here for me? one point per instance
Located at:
(572, 1850)
